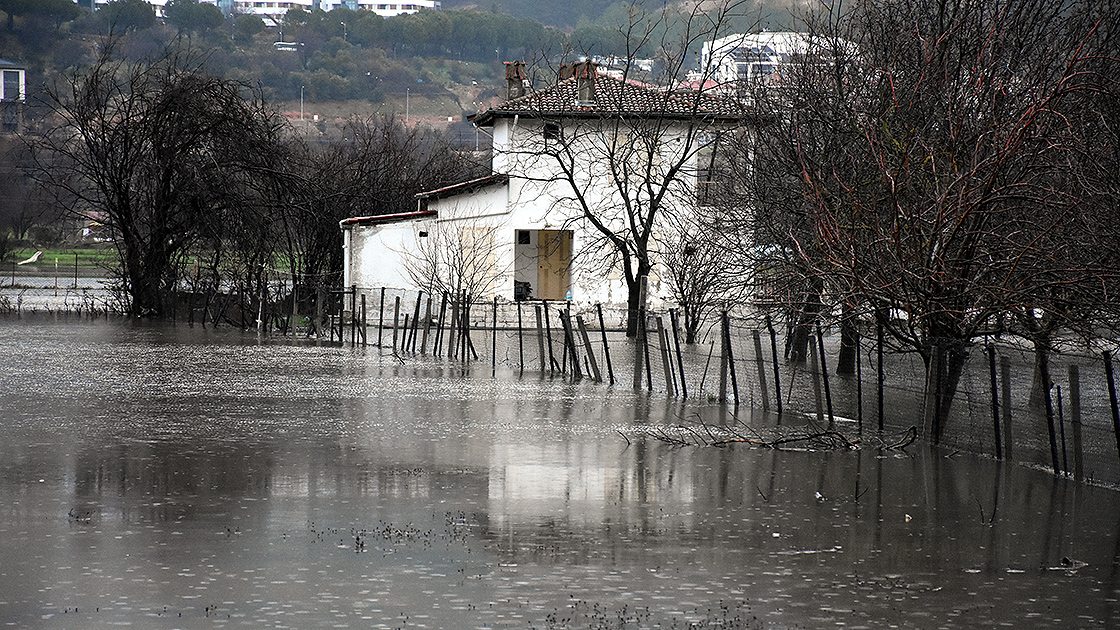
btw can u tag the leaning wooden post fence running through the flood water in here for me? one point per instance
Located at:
(740, 362)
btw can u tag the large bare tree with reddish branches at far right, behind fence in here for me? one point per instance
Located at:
(931, 145)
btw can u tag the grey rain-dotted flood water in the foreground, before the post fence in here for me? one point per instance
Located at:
(162, 477)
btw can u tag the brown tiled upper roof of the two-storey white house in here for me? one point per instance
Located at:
(614, 97)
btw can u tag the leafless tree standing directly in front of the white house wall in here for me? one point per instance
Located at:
(618, 154)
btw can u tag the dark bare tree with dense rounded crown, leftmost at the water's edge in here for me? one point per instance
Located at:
(151, 147)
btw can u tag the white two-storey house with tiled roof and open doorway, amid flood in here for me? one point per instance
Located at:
(585, 170)
